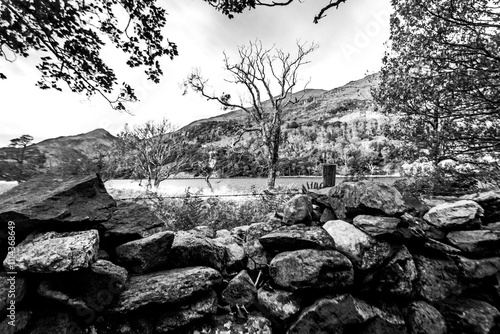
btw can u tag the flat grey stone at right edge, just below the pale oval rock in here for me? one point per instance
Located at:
(476, 243)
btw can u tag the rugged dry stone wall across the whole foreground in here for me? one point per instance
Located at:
(355, 258)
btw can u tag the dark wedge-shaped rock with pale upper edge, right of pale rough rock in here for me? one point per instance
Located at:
(144, 255)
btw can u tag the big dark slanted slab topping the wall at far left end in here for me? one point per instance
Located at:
(70, 202)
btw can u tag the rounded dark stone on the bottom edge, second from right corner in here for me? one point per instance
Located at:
(423, 318)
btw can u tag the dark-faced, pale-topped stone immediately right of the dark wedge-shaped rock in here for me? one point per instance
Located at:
(190, 250)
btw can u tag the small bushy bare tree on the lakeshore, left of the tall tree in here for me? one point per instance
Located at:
(155, 148)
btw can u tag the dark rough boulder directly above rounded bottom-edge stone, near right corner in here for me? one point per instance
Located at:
(437, 279)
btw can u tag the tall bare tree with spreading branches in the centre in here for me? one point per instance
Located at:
(261, 72)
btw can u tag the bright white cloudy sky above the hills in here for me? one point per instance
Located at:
(351, 44)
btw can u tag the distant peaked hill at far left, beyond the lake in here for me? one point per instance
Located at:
(68, 153)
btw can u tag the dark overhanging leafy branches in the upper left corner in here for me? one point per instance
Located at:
(69, 36)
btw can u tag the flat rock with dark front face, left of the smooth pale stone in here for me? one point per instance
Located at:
(295, 237)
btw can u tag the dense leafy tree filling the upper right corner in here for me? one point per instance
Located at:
(441, 76)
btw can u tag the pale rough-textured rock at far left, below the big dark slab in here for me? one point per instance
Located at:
(53, 252)
